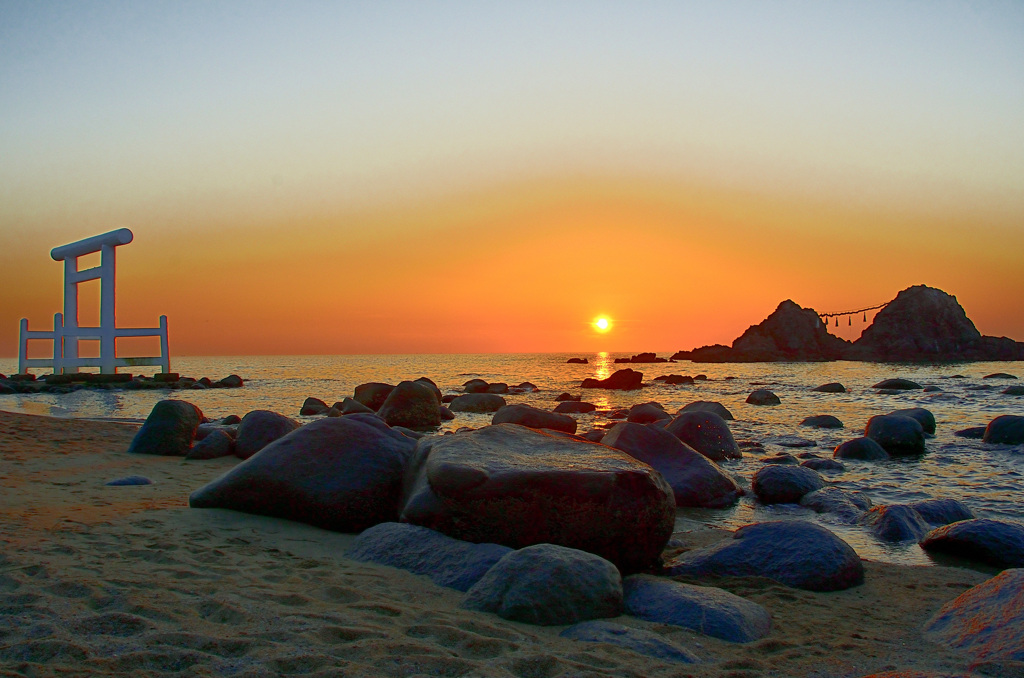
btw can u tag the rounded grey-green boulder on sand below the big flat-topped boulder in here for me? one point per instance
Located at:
(549, 585)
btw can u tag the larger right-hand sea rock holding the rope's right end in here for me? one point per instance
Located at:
(924, 324)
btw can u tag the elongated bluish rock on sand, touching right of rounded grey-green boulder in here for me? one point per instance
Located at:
(705, 610)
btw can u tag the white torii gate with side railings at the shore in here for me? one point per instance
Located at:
(67, 332)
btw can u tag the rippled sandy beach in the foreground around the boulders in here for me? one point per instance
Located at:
(116, 580)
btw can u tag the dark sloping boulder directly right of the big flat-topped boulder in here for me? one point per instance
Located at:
(696, 481)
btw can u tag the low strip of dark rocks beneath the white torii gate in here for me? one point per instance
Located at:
(66, 384)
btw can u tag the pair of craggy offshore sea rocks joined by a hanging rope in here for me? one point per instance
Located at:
(922, 324)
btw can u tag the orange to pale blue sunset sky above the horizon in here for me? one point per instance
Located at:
(380, 178)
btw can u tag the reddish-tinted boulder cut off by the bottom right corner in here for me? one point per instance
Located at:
(987, 622)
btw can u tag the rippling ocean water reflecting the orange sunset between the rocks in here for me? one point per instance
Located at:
(989, 479)
